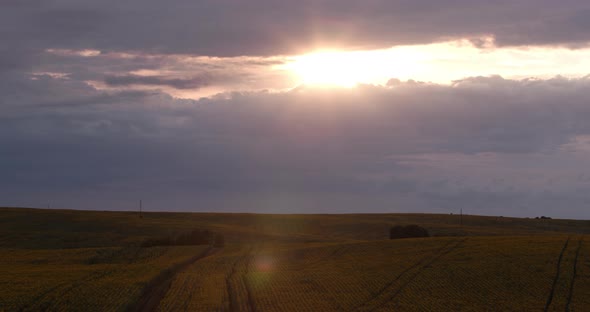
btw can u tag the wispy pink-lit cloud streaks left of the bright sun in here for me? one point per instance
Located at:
(179, 75)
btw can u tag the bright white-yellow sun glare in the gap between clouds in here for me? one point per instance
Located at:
(442, 62)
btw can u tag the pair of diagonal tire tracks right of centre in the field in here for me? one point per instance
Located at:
(419, 266)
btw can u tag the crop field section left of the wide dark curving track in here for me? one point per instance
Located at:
(96, 279)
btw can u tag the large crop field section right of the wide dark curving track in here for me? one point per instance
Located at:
(460, 274)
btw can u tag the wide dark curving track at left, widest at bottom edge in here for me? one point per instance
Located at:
(156, 290)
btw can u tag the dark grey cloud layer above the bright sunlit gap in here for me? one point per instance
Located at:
(265, 27)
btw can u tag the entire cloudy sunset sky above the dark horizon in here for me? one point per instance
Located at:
(323, 106)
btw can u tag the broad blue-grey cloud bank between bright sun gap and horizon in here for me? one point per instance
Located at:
(409, 147)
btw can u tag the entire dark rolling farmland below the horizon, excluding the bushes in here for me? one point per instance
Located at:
(60, 260)
